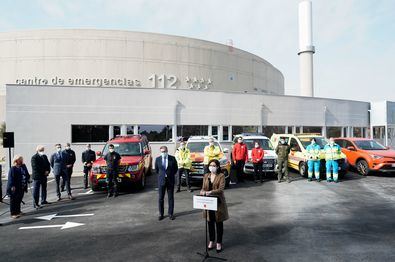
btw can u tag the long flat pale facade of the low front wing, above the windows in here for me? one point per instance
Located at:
(44, 114)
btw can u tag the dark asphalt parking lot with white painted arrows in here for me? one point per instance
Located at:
(302, 221)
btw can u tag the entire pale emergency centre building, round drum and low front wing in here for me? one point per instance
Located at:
(83, 86)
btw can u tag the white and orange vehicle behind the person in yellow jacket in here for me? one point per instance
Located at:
(196, 145)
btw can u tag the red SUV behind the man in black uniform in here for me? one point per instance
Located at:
(136, 163)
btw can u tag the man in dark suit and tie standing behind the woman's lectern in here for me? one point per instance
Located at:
(166, 167)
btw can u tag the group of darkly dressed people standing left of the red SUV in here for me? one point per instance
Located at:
(61, 163)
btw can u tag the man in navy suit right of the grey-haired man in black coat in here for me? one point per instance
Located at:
(59, 167)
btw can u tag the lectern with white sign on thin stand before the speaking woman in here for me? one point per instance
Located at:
(206, 203)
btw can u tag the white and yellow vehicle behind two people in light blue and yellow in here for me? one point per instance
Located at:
(297, 159)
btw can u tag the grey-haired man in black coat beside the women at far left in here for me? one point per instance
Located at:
(40, 171)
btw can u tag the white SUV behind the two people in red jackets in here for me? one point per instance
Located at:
(269, 158)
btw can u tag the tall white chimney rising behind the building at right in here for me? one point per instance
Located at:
(306, 48)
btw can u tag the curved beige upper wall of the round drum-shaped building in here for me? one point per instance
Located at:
(108, 54)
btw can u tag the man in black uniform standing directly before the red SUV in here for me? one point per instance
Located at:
(113, 160)
